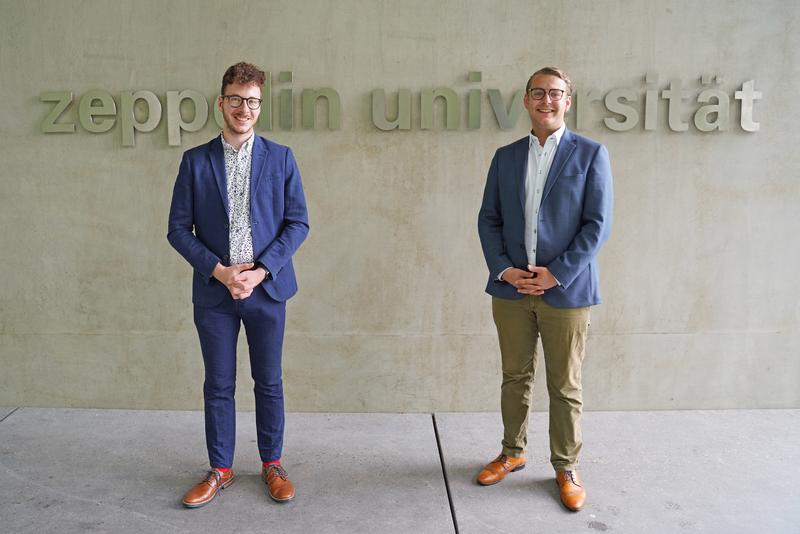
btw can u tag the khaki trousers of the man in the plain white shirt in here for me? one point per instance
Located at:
(520, 323)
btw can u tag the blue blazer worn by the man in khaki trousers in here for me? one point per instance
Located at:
(574, 219)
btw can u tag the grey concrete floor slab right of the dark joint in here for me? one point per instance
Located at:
(659, 472)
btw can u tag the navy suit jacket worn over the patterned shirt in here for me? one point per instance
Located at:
(198, 217)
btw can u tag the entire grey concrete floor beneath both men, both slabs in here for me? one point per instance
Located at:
(732, 472)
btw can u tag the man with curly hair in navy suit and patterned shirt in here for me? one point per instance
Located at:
(238, 215)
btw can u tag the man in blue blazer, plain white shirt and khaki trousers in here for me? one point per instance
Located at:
(546, 212)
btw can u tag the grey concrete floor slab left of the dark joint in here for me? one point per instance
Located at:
(125, 471)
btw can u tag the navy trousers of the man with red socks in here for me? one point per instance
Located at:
(218, 329)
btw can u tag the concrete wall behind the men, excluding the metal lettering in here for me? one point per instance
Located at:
(699, 277)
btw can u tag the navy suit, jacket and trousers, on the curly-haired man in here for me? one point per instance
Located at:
(198, 230)
